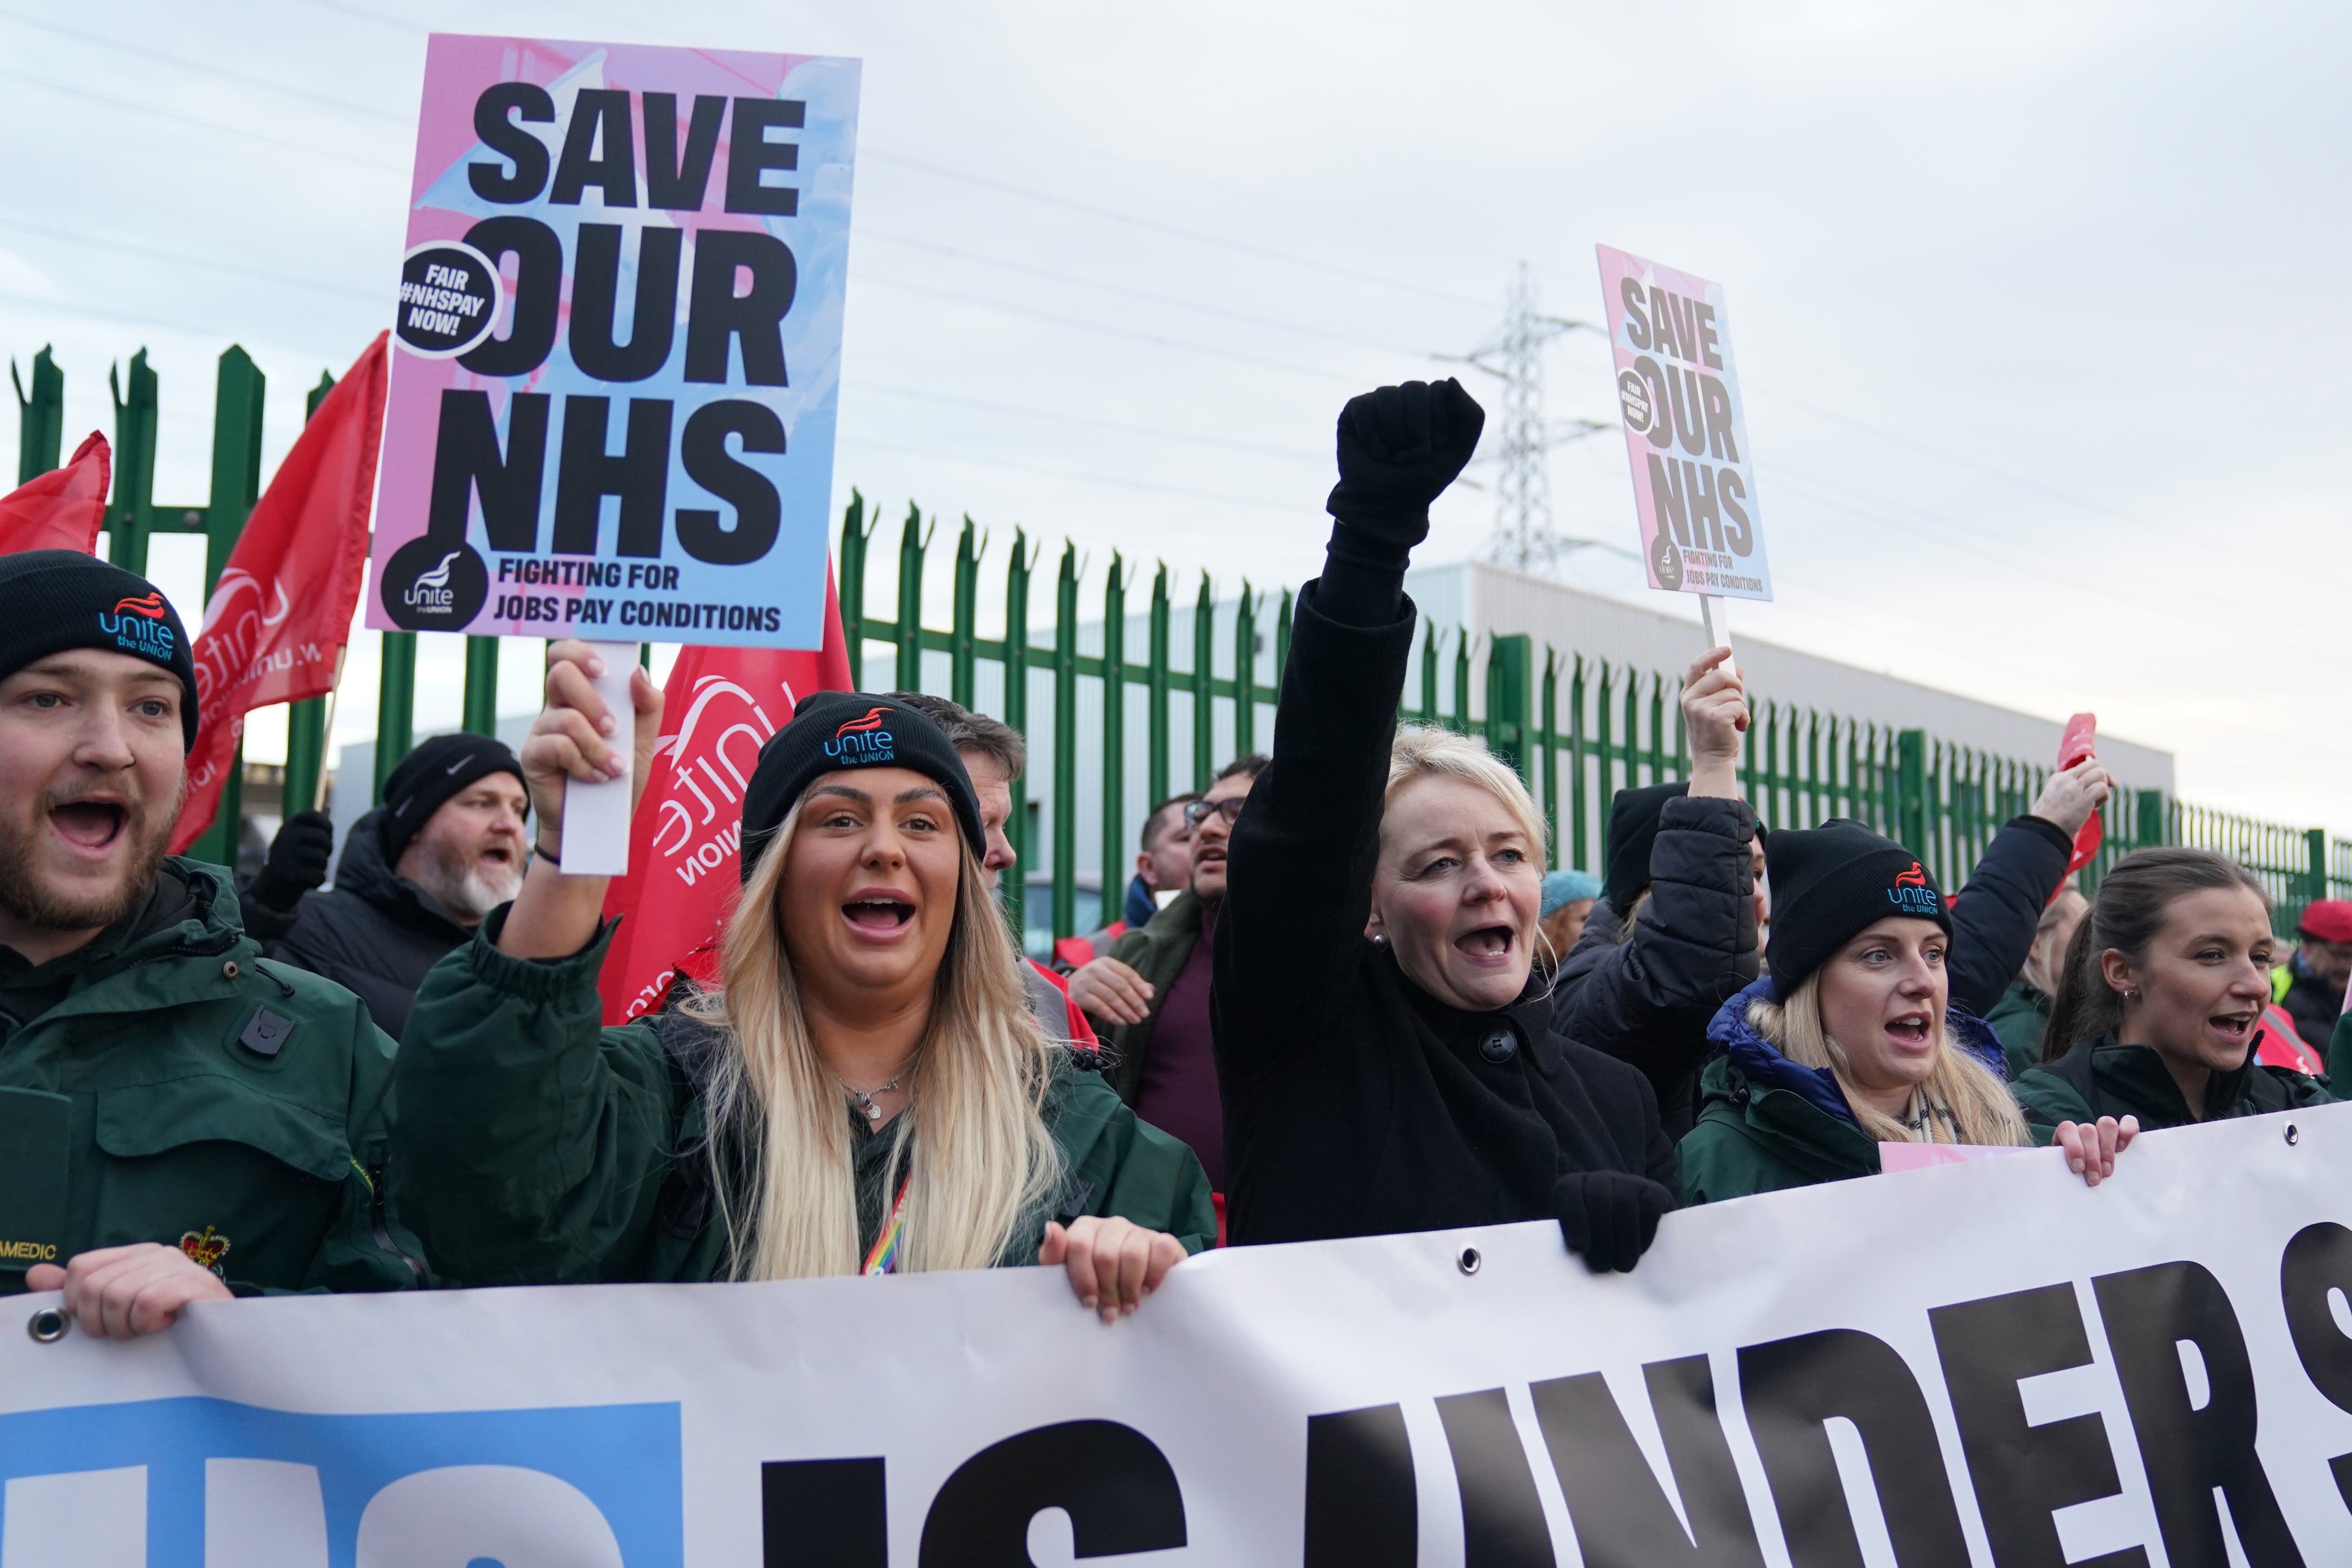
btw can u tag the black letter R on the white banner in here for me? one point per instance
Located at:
(2191, 1449)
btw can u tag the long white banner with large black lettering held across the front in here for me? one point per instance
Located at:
(1972, 1365)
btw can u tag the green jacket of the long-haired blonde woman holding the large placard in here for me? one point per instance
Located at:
(537, 1146)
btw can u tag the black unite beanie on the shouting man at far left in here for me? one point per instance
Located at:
(55, 601)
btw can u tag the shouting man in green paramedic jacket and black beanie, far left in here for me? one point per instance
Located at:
(178, 1123)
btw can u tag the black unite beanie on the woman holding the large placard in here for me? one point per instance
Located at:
(850, 730)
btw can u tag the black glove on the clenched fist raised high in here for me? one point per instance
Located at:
(1398, 450)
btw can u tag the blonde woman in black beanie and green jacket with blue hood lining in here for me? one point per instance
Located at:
(1850, 1040)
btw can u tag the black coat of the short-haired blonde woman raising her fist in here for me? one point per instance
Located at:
(1356, 1104)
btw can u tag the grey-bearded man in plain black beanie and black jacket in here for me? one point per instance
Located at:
(417, 876)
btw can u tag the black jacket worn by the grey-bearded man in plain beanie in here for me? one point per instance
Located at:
(373, 932)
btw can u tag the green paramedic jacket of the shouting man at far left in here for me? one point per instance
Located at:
(185, 1094)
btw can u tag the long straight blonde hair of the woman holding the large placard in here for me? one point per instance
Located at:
(984, 1158)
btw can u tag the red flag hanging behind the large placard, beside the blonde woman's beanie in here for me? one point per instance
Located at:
(683, 847)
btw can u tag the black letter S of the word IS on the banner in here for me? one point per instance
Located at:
(1114, 1482)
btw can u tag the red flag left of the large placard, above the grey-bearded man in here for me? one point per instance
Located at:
(279, 617)
